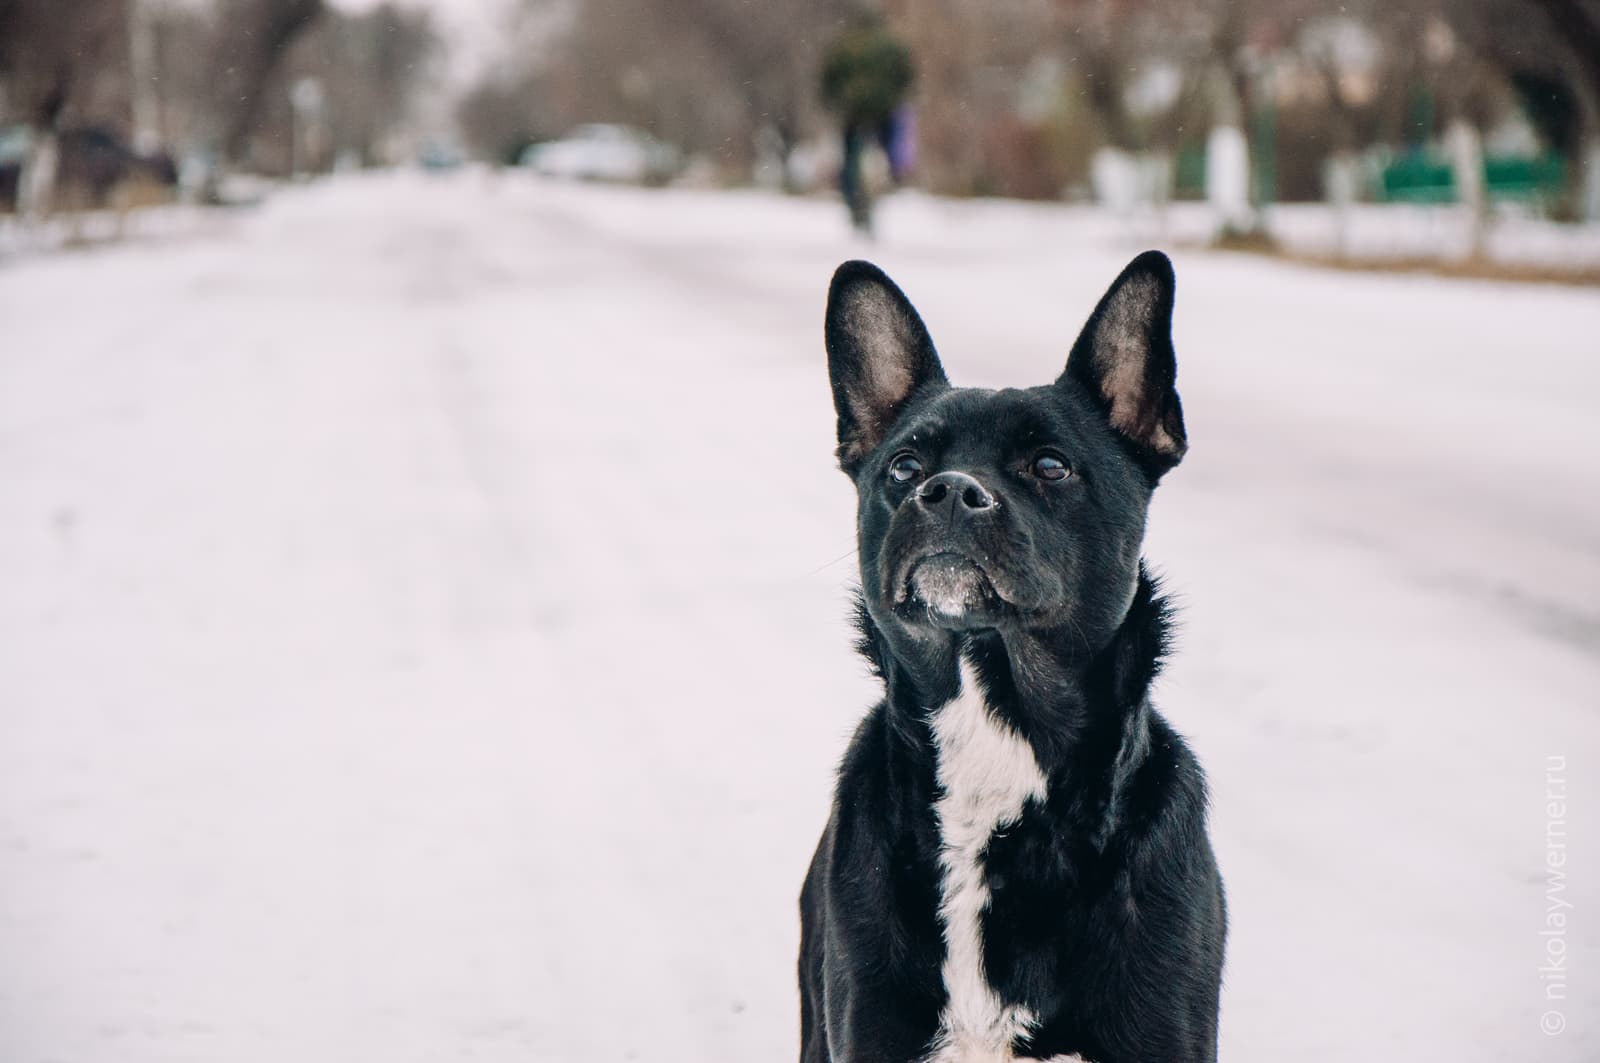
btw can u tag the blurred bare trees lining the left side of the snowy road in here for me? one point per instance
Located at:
(172, 79)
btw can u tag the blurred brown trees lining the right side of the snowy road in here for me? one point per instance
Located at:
(1015, 98)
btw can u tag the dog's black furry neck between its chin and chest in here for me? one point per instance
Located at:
(1084, 710)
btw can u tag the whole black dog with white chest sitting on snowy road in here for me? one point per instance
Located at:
(1017, 864)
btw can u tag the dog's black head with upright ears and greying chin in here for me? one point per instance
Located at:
(994, 510)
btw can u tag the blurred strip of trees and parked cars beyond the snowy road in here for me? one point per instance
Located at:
(1487, 105)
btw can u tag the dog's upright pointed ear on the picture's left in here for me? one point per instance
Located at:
(879, 356)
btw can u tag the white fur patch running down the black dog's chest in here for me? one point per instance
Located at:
(986, 774)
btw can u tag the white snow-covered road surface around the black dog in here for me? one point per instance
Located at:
(385, 577)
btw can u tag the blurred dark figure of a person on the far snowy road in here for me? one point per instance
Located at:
(866, 76)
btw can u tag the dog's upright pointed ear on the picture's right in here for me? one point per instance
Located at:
(1126, 359)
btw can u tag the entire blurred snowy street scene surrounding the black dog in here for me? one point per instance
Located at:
(425, 582)
